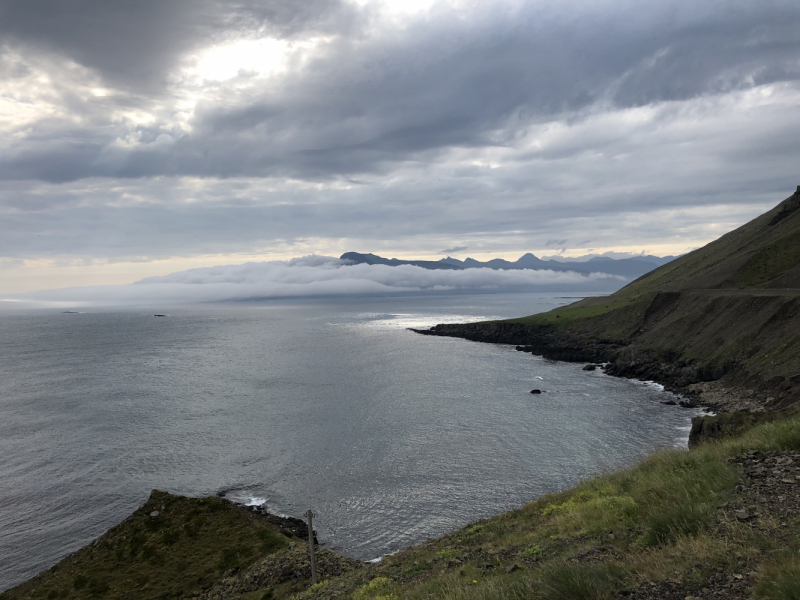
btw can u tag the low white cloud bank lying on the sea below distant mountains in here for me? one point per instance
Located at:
(311, 276)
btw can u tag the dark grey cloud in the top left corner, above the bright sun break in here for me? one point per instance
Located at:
(135, 45)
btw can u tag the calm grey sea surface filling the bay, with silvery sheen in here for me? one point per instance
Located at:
(389, 436)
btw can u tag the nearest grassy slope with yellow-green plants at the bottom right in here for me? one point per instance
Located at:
(667, 520)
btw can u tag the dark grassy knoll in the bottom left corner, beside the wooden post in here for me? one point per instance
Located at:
(184, 550)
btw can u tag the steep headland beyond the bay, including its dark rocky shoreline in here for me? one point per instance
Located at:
(727, 313)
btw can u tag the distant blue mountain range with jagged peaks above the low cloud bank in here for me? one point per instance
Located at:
(626, 267)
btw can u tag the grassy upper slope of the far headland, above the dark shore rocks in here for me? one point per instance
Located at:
(734, 301)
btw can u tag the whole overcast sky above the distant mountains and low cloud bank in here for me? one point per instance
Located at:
(141, 138)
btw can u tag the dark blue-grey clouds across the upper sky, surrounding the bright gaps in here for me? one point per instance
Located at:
(374, 98)
